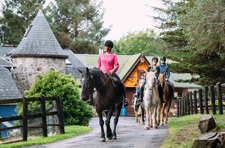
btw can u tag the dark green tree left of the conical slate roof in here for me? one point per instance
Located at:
(17, 16)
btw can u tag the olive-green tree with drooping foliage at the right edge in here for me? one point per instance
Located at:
(204, 27)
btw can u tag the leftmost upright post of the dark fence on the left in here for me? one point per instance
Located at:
(25, 110)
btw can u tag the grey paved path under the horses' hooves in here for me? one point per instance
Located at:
(129, 133)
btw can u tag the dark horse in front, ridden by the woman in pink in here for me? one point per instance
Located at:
(99, 86)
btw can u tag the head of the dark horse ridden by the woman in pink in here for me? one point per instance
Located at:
(87, 84)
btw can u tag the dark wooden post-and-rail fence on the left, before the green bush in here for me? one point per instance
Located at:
(43, 114)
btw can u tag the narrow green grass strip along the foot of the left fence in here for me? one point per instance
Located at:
(70, 131)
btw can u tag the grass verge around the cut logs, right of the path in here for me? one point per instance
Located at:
(184, 130)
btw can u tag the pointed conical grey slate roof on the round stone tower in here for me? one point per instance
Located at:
(39, 41)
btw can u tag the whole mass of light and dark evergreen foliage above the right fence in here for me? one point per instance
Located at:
(195, 32)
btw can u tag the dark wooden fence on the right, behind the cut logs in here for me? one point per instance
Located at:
(198, 100)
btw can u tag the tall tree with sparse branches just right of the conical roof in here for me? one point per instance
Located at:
(78, 24)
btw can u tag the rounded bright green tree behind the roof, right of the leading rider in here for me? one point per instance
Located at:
(146, 42)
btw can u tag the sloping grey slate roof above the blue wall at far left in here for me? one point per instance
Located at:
(8, 89)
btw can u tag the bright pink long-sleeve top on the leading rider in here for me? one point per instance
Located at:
(108, 62)
